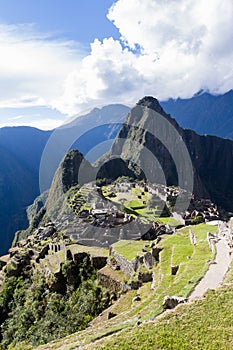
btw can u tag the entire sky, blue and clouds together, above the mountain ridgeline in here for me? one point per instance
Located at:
(59, 58)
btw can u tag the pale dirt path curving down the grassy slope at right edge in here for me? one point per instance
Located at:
(215, 275)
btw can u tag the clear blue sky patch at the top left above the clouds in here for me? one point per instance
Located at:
(82, 21)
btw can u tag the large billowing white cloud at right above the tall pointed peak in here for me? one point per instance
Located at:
(168, 48)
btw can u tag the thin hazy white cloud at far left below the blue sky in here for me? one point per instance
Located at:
(33, 66)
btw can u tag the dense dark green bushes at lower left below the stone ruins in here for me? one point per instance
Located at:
(35, 310)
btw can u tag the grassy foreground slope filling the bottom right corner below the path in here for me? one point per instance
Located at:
(204, 324)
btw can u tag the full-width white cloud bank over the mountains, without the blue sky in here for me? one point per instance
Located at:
(167, 49)
